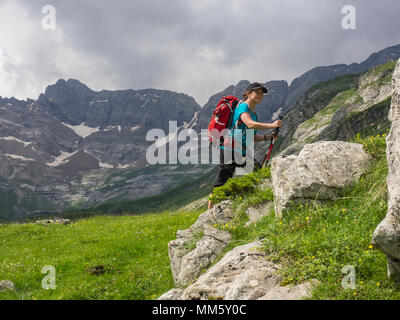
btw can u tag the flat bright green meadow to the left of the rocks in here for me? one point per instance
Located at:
(131, 250)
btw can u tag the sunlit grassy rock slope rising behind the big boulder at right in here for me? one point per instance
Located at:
(339, 109)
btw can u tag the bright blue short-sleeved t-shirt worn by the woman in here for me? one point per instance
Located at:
(241, 127)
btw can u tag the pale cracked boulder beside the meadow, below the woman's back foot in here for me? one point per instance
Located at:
(197, 247)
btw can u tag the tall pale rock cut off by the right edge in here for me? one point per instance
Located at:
(387, 235)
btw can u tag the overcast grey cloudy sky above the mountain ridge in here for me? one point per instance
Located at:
(198, 47)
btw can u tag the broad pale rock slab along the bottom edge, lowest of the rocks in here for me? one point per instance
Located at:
(242, 274)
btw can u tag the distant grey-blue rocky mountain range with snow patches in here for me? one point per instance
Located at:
(78, 148)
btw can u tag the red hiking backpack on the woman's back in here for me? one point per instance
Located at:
(222, 117)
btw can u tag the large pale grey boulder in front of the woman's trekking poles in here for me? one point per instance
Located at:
(319, 171)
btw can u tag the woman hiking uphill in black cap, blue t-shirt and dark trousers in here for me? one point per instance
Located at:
(244, 117)
